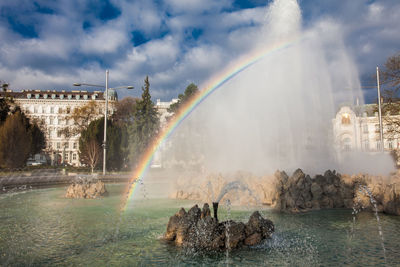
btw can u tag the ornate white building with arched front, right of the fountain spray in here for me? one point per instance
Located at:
(357, 128)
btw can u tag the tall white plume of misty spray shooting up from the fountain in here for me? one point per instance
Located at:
(277, 113)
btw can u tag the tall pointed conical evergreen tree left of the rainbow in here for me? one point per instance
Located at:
(145, 125)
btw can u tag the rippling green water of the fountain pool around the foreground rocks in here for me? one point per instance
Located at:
(41, 227)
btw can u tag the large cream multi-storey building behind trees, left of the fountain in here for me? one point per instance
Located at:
(52, 109)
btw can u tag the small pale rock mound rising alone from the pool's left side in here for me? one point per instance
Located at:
(86, 189)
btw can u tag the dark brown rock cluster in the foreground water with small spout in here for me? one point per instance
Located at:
(198, 230)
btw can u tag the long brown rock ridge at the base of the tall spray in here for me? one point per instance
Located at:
(300, 192)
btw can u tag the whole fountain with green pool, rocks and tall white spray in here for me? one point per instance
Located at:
(274, 115)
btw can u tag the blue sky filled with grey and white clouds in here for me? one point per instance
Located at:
(53, 44)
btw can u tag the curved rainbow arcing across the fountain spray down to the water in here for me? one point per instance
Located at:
(188, 107)
